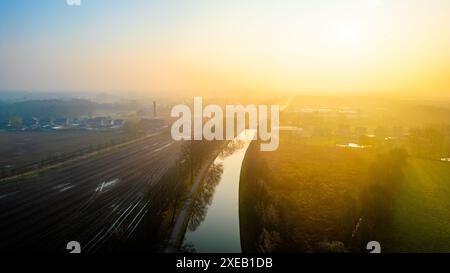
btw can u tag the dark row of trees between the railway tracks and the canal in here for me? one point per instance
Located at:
(168, 194)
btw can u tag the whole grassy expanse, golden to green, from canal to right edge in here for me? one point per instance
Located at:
(309, 196)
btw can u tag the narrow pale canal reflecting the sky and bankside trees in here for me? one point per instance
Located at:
(214, 223)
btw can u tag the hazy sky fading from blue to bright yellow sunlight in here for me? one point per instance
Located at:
(184, 47)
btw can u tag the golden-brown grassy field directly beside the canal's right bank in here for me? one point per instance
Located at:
(302, 198)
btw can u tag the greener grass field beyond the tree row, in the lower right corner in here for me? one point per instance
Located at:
(421, 220)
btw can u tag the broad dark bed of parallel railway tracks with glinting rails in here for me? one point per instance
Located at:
(89, 201)
